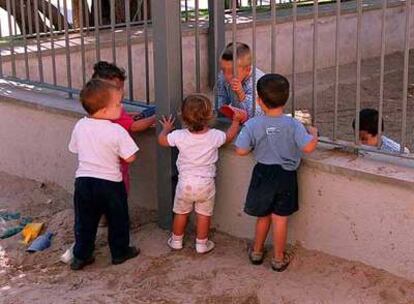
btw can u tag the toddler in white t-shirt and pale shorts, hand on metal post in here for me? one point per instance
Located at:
(198, 146)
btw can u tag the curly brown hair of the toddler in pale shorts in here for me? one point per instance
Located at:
(196, 112)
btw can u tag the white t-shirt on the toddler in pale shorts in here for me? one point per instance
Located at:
(198, 152)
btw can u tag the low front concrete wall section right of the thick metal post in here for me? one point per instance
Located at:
(353, 207)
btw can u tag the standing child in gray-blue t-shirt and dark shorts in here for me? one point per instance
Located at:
(277, 142)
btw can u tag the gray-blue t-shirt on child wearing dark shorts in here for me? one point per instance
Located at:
(275, 140)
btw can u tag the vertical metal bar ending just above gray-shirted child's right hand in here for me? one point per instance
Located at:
(315, 60)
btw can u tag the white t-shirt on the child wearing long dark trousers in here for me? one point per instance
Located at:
(100, 144)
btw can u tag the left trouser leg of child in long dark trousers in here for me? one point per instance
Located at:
(87, 215)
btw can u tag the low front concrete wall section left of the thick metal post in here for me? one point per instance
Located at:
(34, 142)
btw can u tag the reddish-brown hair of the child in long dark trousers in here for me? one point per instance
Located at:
(95, 95)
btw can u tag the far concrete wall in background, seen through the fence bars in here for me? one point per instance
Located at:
(371, 45)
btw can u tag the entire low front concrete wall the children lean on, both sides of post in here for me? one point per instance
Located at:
(354, 207)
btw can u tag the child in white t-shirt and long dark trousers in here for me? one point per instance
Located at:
(99, 189)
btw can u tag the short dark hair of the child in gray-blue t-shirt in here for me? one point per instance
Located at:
(273, 90)
